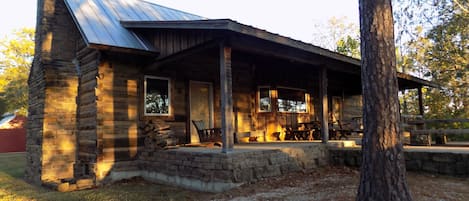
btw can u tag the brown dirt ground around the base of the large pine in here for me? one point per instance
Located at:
(339, 183)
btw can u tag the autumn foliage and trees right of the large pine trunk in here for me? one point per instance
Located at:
(437, 49)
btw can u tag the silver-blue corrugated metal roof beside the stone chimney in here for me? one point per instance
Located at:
(99, 20)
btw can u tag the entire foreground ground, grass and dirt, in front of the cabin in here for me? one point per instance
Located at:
(330, 183)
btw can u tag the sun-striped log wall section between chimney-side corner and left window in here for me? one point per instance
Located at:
(117, 103)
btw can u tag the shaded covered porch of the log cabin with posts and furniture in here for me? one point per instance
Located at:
(249, 82)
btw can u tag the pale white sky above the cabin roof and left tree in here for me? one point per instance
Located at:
(292, 18)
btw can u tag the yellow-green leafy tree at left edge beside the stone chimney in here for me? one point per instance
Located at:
(16, 55)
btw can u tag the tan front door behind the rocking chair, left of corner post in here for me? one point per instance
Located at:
(201, 106)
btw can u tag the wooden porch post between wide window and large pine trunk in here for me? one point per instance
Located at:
(324, 105)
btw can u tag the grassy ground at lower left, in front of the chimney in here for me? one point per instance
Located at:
(14, 187)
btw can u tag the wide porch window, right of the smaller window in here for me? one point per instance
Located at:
(291, 100)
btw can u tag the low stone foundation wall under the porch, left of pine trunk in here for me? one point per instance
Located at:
(209, 170)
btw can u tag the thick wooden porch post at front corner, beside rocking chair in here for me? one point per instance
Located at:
(226, 98)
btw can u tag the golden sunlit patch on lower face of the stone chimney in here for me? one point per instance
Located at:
(59, 139)
